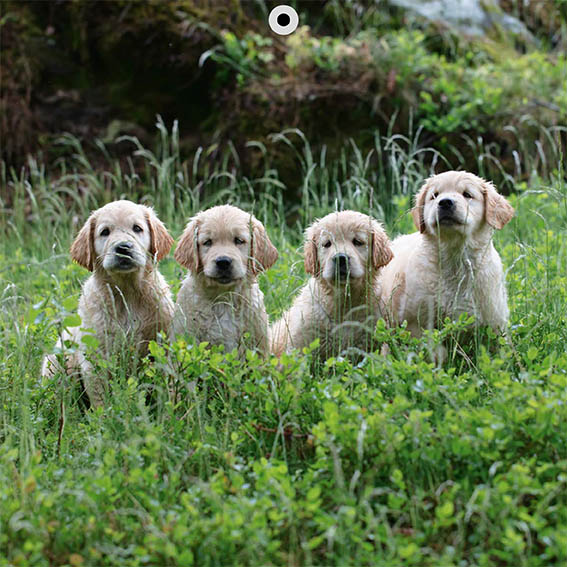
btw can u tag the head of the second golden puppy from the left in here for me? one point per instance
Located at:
(225, 244)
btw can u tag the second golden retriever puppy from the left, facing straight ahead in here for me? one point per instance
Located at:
(224, 248)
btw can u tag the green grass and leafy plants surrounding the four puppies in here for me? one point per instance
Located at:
(385, 462)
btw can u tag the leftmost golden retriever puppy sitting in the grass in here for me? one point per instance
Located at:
(126, 301)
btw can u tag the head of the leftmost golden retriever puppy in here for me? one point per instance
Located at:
(121, 237)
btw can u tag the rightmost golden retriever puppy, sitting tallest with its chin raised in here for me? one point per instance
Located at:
(450, 266)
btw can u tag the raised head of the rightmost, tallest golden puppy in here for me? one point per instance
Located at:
(457, 202)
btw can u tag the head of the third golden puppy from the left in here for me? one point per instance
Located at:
(345, 245)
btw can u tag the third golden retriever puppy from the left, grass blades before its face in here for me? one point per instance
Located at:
(340, 304)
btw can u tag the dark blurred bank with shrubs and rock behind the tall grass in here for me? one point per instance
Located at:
(458, 77)
